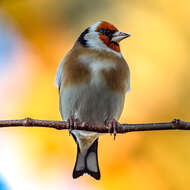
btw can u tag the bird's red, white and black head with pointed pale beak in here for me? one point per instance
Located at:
(102, 36)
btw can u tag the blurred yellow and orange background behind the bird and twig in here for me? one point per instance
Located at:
(34, 37)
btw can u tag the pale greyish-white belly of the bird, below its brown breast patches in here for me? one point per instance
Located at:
(90, 103)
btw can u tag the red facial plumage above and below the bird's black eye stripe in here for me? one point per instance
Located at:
(104, 38)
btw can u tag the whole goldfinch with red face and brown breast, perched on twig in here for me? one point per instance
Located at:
(93, 79)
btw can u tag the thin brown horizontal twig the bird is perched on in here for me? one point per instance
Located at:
(123, 128)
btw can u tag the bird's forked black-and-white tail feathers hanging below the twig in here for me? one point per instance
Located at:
(87, 162)
